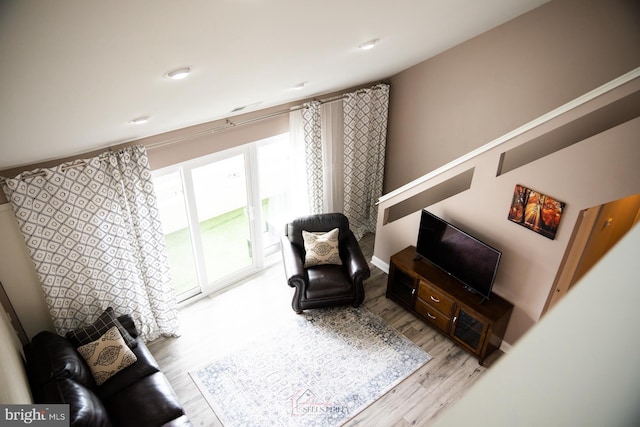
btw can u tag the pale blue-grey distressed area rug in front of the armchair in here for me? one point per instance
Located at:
(320, 368)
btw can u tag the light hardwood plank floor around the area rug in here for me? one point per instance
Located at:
(215, 325)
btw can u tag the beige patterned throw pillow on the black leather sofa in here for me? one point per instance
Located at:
(107, 355)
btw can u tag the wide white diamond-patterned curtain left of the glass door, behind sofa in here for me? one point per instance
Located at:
(93, 231)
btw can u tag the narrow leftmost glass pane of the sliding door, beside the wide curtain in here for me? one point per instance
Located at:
(175, 225)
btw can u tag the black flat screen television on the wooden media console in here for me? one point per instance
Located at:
(458, 254)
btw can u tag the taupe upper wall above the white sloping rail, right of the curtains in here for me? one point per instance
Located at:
(475, 92)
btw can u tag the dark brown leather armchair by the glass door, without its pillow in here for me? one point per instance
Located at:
(324, 285)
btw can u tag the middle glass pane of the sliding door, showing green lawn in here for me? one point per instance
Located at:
(221, 202)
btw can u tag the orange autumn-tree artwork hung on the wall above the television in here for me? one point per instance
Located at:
(536, 211)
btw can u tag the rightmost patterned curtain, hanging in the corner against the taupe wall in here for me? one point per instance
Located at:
(365, 136)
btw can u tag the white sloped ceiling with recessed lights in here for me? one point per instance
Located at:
(75, 72)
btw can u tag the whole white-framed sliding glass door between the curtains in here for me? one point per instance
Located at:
(223, 215)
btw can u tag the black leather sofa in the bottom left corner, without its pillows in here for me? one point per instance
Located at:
(138, 395)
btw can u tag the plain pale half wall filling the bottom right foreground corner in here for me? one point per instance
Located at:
(578, 366)
